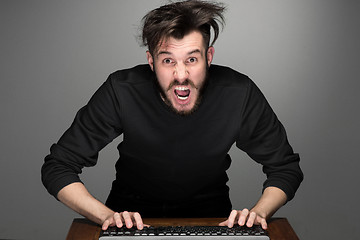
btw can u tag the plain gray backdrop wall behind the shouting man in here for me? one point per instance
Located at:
(304, 55)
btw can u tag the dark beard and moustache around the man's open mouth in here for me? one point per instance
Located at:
(201, 89)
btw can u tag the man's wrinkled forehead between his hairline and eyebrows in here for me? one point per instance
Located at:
(192, 42)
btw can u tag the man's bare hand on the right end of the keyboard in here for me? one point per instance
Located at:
(244, 216)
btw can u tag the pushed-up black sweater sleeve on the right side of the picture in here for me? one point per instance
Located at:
(264, 139)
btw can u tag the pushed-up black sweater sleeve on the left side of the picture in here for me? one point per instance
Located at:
(94, 126)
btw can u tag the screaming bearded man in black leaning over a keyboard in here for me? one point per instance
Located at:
(179, 116)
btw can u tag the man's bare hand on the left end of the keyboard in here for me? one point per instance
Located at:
(128, 218)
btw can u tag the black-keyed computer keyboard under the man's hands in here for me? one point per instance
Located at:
(186, 232)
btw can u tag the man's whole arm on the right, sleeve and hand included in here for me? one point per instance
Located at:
(264, 139)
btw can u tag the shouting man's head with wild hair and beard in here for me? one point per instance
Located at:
(178, 39)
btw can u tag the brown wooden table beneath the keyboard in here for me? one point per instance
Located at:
(83, 229)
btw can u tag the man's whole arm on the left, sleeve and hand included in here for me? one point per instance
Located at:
(95, 125)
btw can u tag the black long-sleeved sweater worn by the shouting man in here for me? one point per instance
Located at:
(180, 155)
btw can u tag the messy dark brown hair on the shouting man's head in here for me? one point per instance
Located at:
(180, 18)
